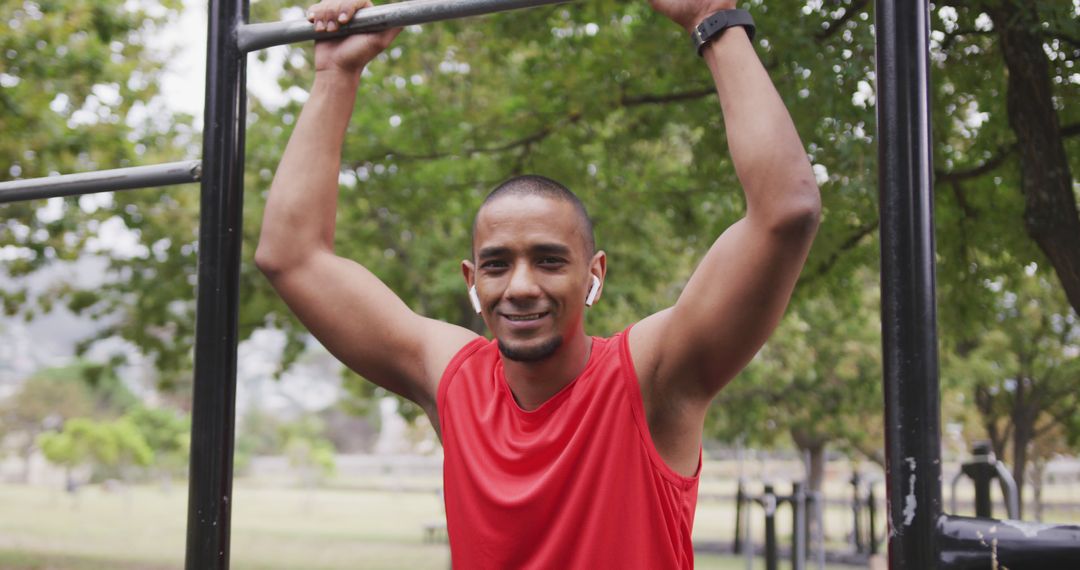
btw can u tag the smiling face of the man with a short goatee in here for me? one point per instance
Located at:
(532, 273)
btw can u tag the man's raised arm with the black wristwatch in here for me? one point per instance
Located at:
(739, 292)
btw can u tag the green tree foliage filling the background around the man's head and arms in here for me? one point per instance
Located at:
(605, 97)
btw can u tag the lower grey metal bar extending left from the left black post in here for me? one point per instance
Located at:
(131, 179)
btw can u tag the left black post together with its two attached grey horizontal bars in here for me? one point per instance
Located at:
(213, 412)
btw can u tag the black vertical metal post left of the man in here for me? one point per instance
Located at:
(213, 412)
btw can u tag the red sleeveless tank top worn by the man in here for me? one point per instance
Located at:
(575, 484)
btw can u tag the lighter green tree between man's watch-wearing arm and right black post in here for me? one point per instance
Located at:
(817, 382)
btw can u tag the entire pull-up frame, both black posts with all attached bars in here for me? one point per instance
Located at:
(921, 536)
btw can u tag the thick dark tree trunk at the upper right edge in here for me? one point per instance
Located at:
(1051, 215)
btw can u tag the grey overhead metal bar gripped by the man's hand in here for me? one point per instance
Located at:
(254, 37)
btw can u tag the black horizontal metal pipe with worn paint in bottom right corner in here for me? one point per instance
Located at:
(971, 544)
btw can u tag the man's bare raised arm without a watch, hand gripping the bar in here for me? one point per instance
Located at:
(346, 307)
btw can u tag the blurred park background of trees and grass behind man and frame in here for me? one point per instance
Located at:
(99, 291)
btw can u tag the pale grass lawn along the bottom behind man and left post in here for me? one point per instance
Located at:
(274, 530)
